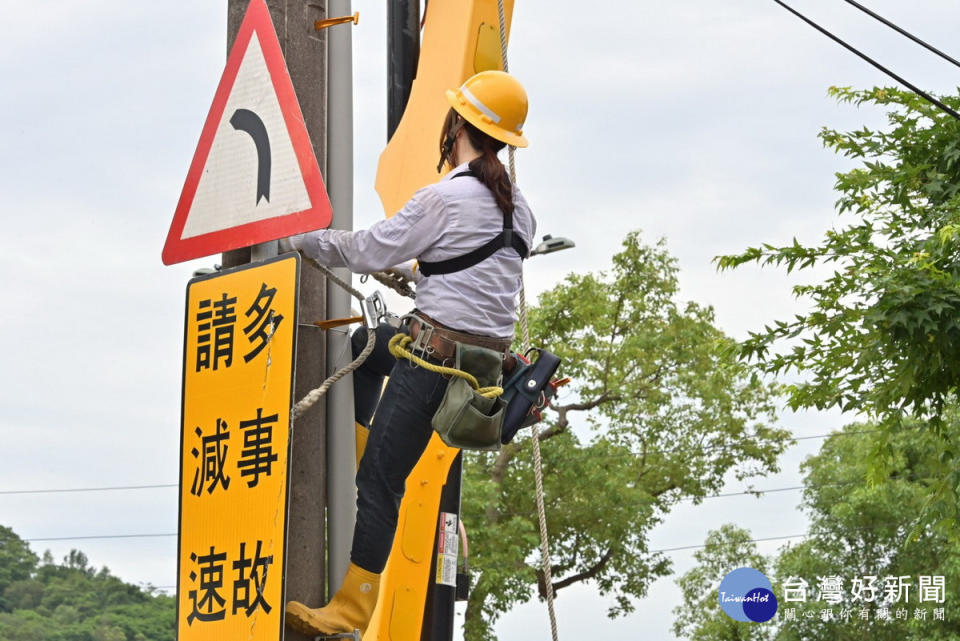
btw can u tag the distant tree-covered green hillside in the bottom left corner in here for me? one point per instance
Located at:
(72, 601)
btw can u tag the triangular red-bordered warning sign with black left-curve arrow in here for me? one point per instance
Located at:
(254, 176)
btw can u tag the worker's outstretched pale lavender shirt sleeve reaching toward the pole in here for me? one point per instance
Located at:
(387, 243)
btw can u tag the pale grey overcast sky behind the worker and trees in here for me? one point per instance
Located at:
(695, 121)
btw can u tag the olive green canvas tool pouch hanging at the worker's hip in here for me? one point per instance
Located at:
(466, 419)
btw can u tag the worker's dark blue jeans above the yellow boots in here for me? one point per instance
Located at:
(398, 436)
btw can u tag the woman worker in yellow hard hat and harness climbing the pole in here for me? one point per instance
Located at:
(470, 233)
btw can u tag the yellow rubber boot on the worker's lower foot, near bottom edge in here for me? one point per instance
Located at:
(350, 608)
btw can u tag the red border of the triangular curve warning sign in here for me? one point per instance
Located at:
(176, 250)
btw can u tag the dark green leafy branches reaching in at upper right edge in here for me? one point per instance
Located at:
(882, 337)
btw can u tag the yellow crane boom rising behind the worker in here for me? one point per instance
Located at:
(460, 38)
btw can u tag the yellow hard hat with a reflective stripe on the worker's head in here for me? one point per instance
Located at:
(495, 103)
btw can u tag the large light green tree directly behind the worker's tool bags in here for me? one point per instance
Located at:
(663, 412)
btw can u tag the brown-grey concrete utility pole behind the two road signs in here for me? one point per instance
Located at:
(306, 54)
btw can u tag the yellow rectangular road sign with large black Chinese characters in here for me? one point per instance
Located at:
(239, 345)
